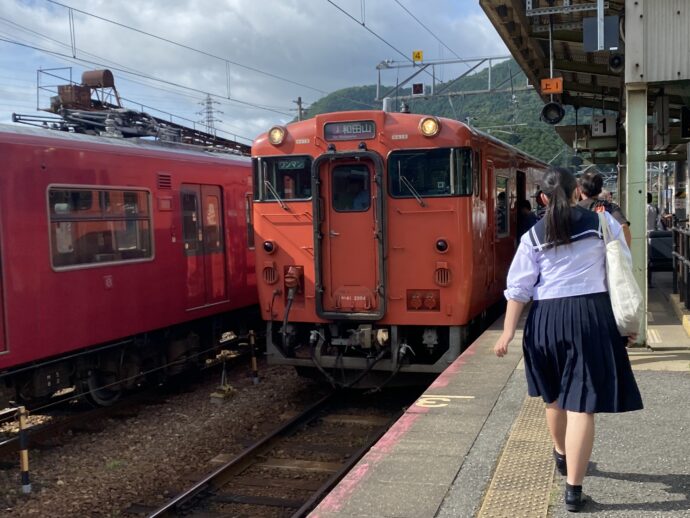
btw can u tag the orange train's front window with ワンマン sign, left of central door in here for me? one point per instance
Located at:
(282, 178)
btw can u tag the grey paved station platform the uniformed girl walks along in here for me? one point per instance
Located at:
(474, 445)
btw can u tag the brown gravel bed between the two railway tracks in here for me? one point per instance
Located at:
(145, 459)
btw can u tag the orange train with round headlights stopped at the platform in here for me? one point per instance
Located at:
(383, 240)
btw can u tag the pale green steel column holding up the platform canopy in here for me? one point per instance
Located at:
(636, 187)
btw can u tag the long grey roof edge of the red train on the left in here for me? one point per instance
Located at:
(41, 136)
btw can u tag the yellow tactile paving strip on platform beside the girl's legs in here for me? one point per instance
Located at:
(521, 484)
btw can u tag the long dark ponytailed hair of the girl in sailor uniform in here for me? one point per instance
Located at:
(559, 185)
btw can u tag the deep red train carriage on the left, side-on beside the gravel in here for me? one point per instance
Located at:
(118, 258)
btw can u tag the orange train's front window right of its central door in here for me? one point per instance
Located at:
(430, 172)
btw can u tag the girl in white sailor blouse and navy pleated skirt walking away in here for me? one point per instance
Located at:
(575, 358)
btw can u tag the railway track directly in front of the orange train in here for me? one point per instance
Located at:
(287, 472)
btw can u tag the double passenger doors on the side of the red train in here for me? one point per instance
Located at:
(202, 224)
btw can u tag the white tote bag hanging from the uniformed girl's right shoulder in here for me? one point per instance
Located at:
(626, 297)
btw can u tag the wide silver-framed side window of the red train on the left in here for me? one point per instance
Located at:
(94, 226)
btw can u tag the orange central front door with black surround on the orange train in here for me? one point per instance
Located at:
(350, 260)
